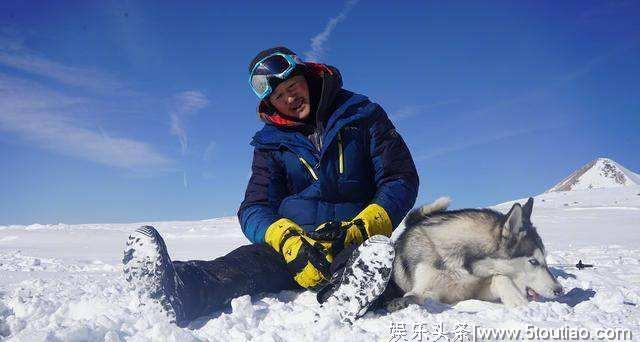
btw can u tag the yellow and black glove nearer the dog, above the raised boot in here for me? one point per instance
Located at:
(372, 220)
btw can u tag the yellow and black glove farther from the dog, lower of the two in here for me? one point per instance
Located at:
(308, 260)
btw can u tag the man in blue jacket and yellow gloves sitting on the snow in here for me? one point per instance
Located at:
(331, 179)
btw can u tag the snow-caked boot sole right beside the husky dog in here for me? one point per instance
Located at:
(363, 280)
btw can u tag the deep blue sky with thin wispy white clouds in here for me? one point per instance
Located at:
(130, 111)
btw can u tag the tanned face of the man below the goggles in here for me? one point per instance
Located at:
(291, 98)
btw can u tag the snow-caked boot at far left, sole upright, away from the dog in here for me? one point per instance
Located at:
(148, 269)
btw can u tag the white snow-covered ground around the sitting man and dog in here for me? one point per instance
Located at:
(64, 283)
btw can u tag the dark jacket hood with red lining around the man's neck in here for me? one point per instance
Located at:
(324, 83)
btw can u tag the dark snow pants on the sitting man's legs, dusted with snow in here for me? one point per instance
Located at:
(209, 286)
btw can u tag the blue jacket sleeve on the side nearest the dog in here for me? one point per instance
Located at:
(396, 177)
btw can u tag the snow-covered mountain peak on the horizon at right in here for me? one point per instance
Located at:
(598, 173)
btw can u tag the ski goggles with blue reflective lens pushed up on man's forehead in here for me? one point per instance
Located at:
(277, 65)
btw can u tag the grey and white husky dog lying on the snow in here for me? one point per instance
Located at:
(450, 256)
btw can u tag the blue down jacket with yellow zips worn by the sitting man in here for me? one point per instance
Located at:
(362, 160)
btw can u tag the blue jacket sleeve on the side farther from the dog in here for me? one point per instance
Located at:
(266, 189)
